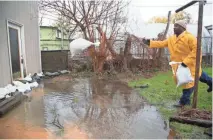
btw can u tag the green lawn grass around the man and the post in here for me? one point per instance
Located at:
(162, 92)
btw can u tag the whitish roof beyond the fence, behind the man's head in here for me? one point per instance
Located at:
(153, 29)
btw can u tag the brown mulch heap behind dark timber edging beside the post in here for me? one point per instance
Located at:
(195, 113)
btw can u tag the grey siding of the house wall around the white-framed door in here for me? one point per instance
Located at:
(25, 13)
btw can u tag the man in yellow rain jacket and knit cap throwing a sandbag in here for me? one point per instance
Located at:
(182, 47)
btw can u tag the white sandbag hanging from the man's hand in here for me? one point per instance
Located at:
(183, 74)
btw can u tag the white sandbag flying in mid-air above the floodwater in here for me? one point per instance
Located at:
(77, 45)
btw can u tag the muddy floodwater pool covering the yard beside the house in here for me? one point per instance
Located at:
(83, 108)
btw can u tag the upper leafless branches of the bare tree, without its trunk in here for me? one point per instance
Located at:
(87, 14)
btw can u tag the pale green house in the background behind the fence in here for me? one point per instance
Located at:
(51, 39)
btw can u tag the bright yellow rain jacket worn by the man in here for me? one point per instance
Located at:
(182, 49)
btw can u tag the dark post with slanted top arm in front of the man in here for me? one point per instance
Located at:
(199, 39)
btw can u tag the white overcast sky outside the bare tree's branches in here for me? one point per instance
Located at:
(141, 11)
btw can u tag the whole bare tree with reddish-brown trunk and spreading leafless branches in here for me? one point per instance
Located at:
(105, 16)
